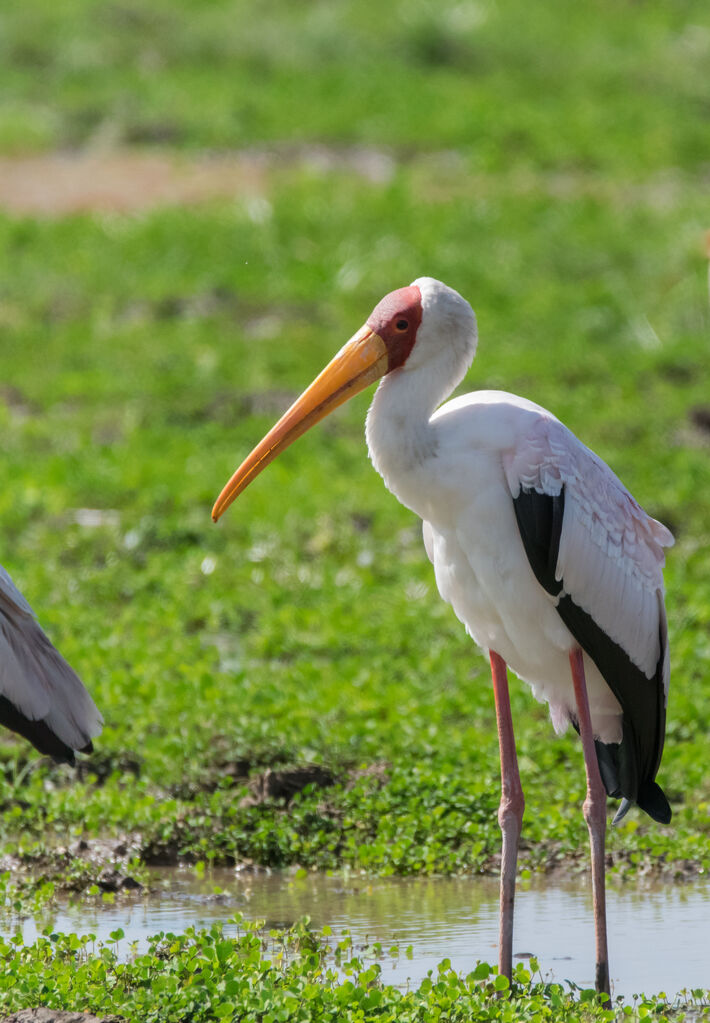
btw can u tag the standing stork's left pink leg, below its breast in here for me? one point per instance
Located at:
(510, 812)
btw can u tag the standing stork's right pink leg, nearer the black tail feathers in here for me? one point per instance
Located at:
(596, 817)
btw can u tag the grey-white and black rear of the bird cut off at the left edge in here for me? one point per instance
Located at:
(41, 697)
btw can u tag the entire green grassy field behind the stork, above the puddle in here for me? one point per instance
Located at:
(275, 169)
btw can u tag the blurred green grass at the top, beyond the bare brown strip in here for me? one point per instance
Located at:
(594, 86)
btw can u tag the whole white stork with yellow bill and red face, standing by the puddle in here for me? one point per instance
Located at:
(546, 558)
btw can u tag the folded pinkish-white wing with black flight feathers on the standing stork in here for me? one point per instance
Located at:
(601, 558)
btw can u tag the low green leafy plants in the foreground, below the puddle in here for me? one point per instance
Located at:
(249, 974)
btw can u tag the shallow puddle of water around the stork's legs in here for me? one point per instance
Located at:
(659, 936)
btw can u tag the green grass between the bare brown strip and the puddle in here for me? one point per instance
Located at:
(307, 626)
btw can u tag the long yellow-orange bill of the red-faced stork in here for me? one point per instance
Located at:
(362, 362)
